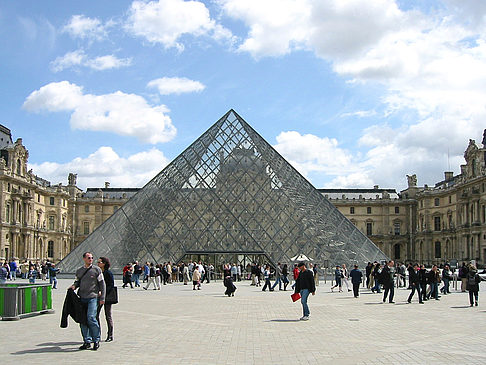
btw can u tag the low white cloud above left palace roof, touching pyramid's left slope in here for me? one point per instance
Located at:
(106, 165)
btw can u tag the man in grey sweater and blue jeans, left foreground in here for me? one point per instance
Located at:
(92, 287)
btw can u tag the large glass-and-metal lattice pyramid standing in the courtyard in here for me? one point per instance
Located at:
(229, 192)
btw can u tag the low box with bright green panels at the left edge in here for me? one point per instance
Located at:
(24, 300)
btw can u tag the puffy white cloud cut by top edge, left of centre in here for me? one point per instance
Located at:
(166, 21)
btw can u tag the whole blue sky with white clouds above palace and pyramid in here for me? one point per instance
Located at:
(353, 93)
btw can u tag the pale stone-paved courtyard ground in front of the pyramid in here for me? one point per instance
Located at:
(177, 325)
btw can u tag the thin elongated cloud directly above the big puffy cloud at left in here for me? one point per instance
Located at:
(79, 58)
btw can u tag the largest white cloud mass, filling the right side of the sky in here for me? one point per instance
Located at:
(431, 66)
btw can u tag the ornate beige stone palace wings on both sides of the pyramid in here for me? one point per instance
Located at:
(426, 224)
